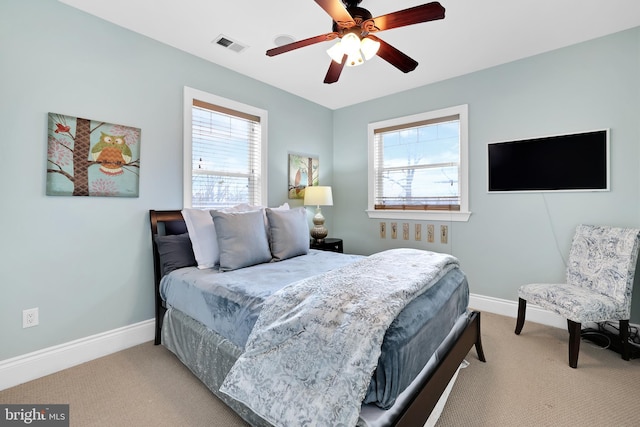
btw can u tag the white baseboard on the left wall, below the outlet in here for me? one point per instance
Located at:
(43, 362)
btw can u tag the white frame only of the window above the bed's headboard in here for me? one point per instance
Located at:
(189, 95)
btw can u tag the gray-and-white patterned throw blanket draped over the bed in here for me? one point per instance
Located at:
(311, 354)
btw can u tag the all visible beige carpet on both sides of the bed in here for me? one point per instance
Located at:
(525, 382)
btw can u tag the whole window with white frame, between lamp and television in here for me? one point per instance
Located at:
(418, 167)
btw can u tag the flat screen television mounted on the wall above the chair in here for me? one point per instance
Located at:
(573, 162)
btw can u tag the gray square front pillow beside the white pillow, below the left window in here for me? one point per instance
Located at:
(242, 239)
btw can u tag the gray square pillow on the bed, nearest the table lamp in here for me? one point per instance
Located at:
(289, 232)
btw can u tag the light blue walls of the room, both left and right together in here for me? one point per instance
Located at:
(86, 262)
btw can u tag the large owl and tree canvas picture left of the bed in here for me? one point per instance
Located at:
(92, 158)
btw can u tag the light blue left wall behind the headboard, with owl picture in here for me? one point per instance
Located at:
(86, 262)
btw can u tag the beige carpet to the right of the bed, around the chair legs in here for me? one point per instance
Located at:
(527, 382)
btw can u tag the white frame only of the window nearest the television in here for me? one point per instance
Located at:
(463, 180)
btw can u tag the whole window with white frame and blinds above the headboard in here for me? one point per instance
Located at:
(224, 152)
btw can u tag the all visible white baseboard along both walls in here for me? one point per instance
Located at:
(43, 362)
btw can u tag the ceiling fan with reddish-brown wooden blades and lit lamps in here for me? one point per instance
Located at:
(354, 26)
